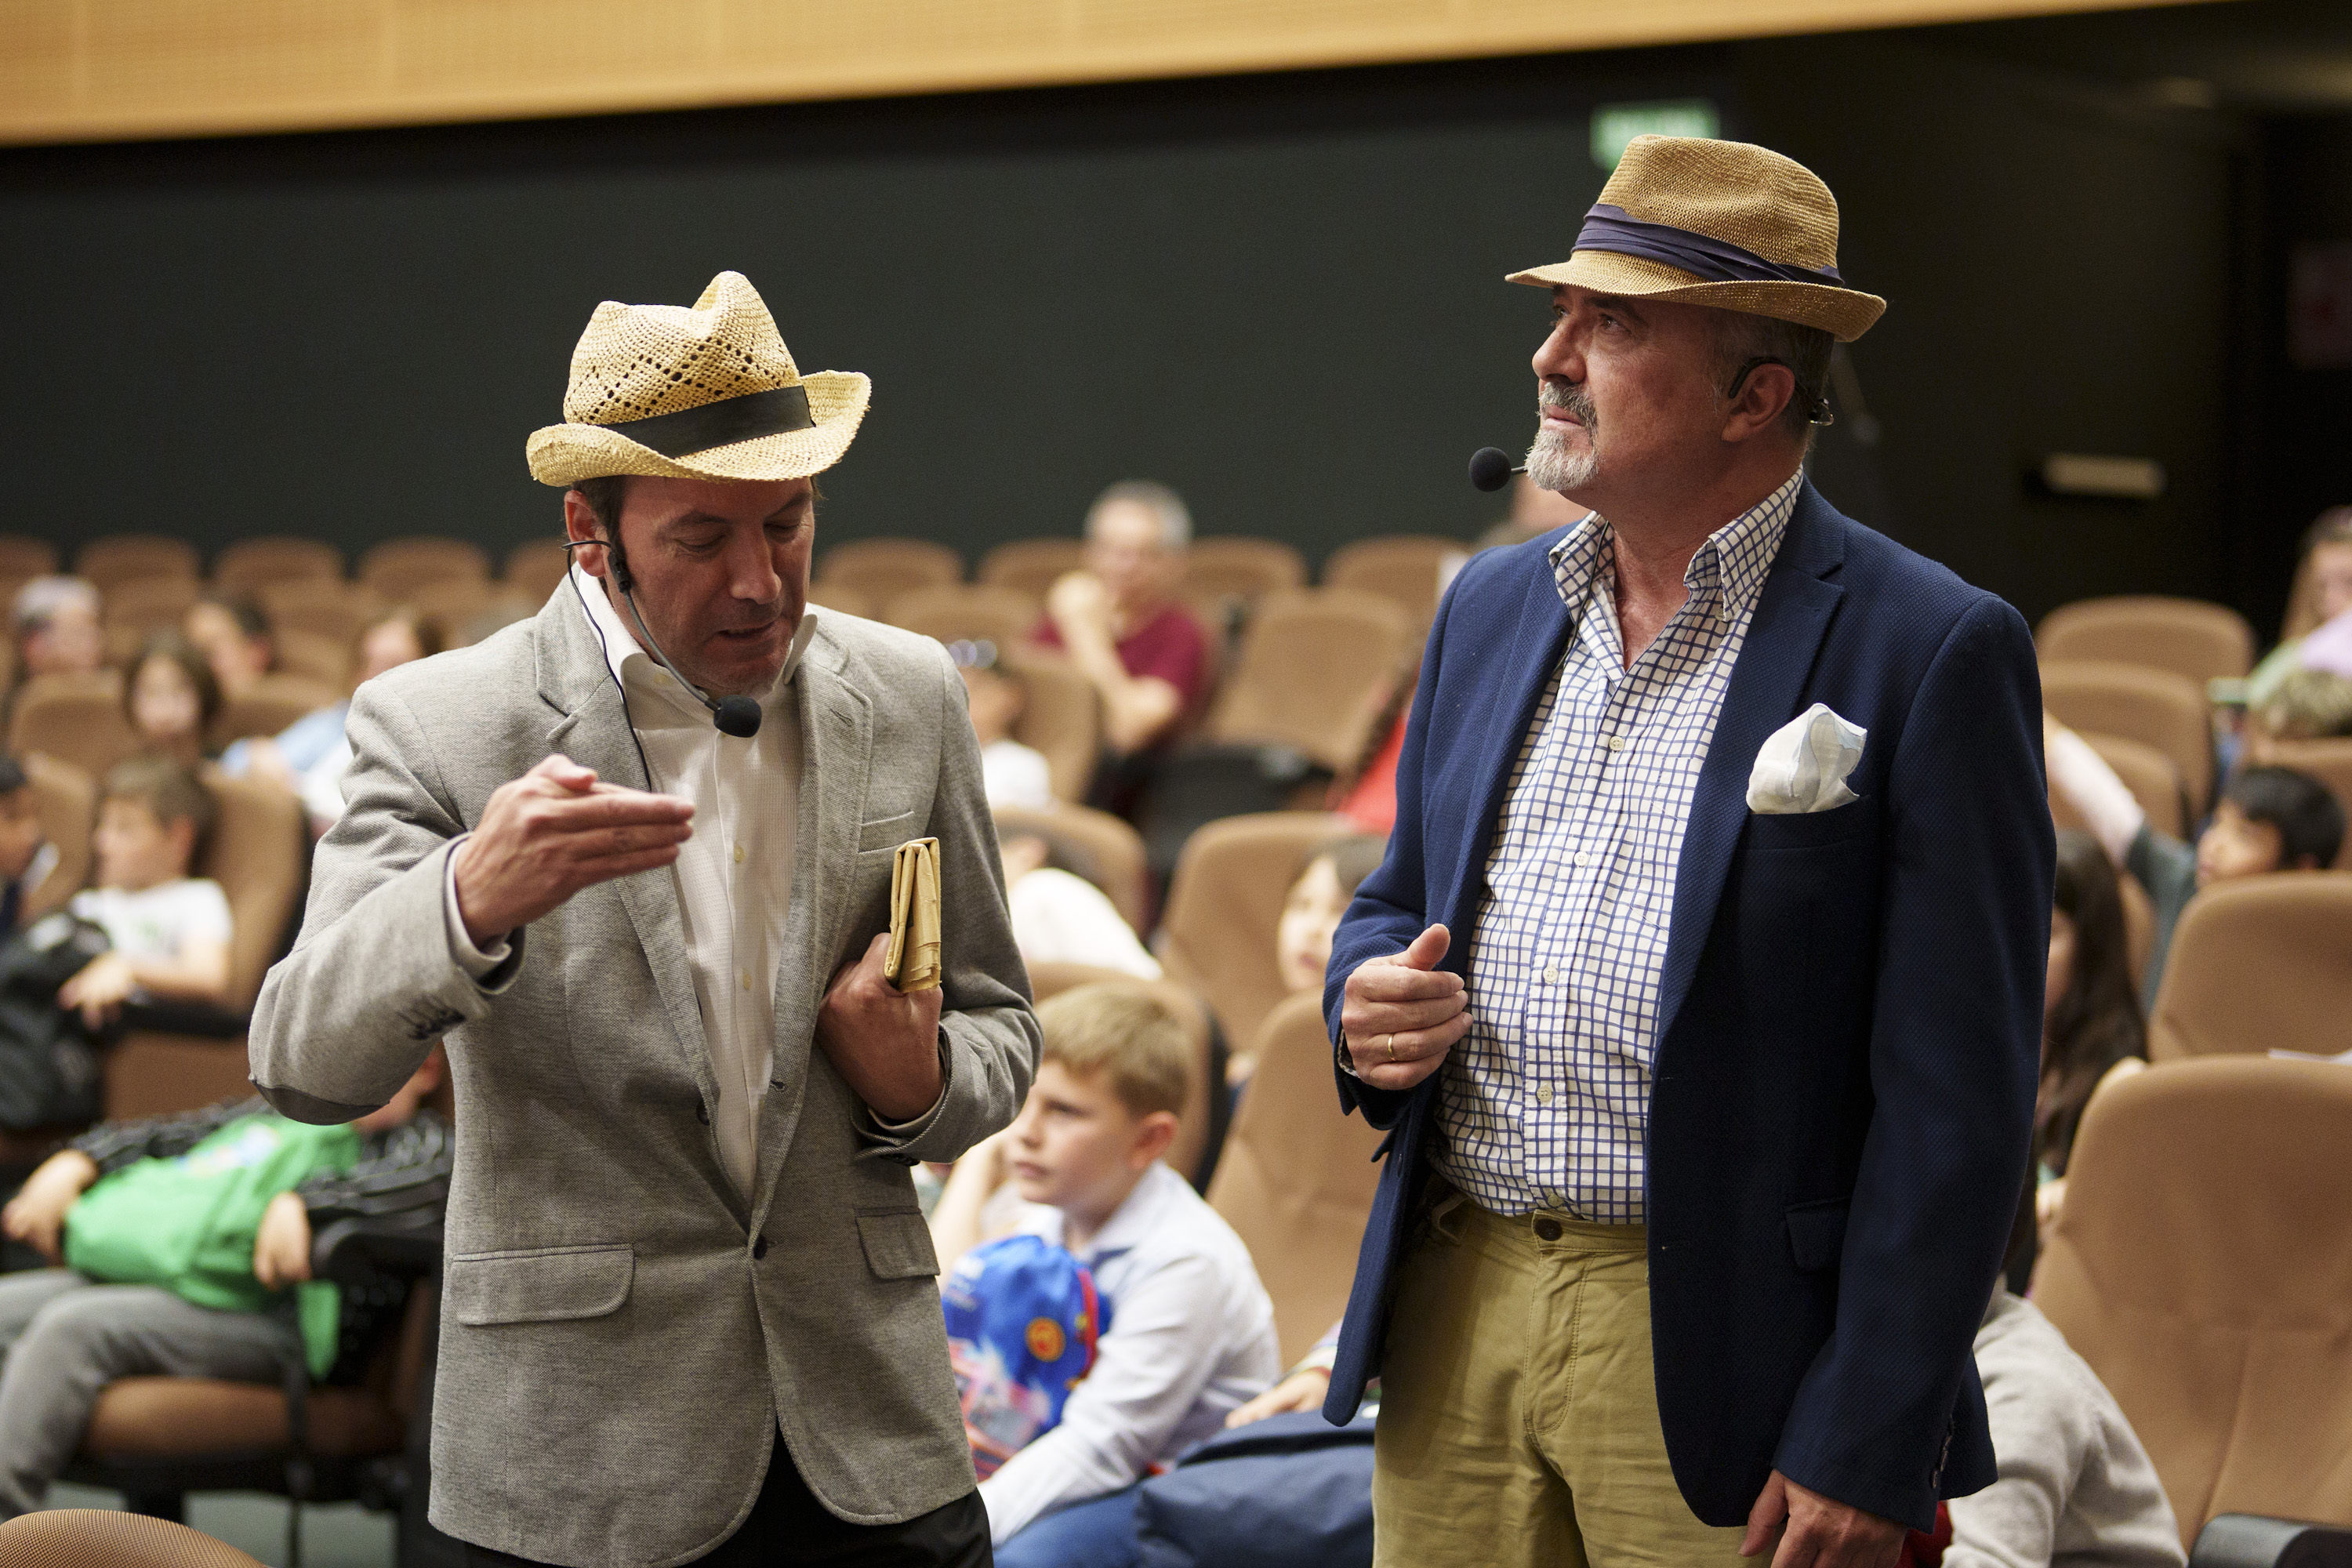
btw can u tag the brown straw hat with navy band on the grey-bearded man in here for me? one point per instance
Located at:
(1716, 225)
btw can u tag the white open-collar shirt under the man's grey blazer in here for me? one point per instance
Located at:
(733, 876)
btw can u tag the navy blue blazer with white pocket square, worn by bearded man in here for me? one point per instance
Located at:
(1850, 1019)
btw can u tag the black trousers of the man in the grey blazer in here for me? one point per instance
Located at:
(789, 1527)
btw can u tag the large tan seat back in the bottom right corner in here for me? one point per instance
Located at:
(2200, 1268)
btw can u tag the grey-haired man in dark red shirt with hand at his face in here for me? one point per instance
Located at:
(1121, 622)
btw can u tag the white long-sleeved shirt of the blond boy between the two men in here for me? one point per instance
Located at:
(1191, 1339)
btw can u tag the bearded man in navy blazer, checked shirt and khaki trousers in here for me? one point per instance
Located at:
(1702, 984)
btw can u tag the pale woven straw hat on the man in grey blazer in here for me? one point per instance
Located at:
(697, 394)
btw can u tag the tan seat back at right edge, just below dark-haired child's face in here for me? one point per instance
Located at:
(2257, 965)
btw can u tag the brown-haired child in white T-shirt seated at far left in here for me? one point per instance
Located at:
(168, 930)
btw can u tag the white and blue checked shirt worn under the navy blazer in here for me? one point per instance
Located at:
(1546, 1101)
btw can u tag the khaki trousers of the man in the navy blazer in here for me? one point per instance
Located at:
(1518, 1402)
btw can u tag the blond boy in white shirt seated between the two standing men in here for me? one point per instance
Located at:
(1191, 1334)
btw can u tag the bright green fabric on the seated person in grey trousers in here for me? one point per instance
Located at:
(189, 1224)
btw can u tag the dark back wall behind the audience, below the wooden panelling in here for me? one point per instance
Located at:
(1281, 295)
